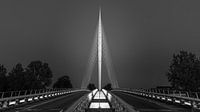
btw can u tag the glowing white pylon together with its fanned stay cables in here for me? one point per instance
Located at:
(100, 53)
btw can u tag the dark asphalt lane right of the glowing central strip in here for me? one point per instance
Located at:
(149, 105)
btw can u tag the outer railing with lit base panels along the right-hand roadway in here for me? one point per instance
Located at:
(176, 97)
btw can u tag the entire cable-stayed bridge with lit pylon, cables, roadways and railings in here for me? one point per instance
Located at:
(99, 100)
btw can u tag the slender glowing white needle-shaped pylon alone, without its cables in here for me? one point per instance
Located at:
(100, 40)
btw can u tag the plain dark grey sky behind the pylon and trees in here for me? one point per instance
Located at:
(142, 35)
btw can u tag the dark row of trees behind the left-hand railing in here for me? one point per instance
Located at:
(37, 75)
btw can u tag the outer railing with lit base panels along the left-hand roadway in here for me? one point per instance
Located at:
(15, 98)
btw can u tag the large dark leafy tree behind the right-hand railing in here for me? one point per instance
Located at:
(184, 71)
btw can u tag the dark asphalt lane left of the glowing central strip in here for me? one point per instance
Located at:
(59, 104)
